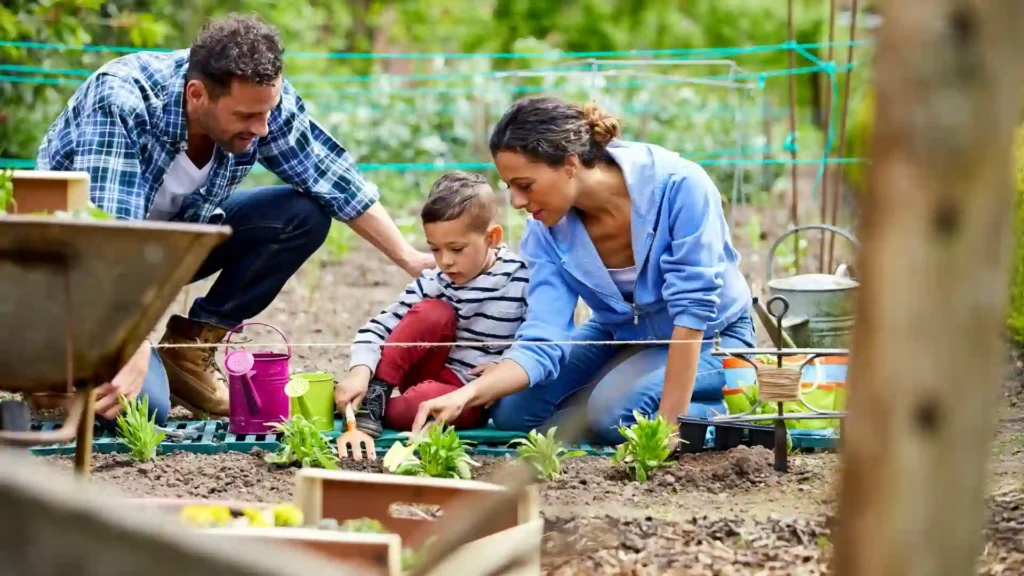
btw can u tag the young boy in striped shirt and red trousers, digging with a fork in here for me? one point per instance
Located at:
(478, 294)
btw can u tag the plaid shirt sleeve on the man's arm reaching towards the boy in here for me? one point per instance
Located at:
(303, 154)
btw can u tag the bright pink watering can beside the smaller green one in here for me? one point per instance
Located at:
(257, 387)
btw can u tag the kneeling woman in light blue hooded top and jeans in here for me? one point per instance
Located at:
(639, 234)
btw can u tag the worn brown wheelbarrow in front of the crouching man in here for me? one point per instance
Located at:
(77, 299)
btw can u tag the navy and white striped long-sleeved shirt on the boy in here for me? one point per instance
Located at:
(490, 308)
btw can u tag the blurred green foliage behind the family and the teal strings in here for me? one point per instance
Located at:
(439, 109)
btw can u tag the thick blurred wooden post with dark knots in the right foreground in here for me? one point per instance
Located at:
(927, 359)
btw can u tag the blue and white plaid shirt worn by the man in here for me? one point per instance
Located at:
(126, 125)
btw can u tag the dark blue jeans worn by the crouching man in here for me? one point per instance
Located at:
(275, 230)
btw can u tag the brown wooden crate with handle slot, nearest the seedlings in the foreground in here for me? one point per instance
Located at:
(345, 496)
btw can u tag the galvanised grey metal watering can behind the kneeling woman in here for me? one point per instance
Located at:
(822, 306)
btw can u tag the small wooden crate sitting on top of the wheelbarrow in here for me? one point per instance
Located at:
(50, 191)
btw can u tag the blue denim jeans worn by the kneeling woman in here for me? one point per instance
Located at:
(636, 384)
